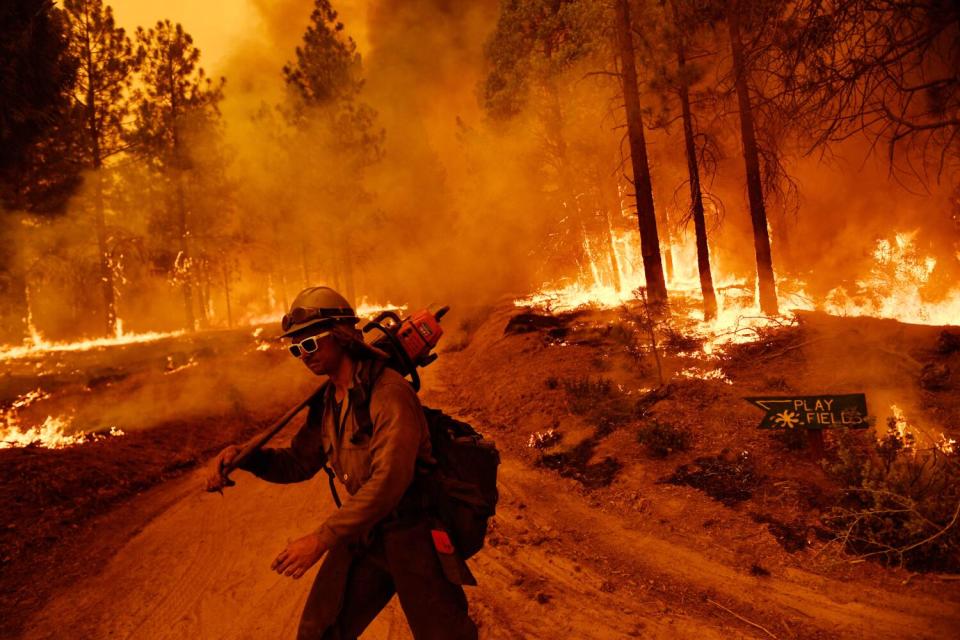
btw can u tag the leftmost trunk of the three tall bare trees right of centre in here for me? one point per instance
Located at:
(646, 216)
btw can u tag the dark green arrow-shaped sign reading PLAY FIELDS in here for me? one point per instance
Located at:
(813, 412)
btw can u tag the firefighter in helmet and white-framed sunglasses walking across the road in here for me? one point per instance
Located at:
(379, 543)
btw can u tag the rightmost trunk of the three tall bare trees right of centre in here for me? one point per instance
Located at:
(751, 159)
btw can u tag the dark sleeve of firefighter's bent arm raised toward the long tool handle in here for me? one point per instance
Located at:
(296, 463)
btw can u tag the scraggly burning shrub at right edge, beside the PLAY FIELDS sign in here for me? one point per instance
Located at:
(900, 503)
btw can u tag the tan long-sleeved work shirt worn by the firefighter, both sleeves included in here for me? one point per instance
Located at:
(376, 470)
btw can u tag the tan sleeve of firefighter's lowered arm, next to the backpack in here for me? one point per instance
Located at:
(398, 425)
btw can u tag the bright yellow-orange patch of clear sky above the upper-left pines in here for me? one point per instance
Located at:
(218, 26)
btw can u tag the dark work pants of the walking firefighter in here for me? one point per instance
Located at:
(351, 588)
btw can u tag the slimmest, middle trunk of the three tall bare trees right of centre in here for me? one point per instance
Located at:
(696, 194)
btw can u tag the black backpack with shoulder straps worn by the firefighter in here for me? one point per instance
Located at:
(462, 487)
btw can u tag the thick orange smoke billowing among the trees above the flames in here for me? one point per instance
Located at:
(458, 210)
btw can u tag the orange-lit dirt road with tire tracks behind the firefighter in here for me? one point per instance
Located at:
(558, 568)
